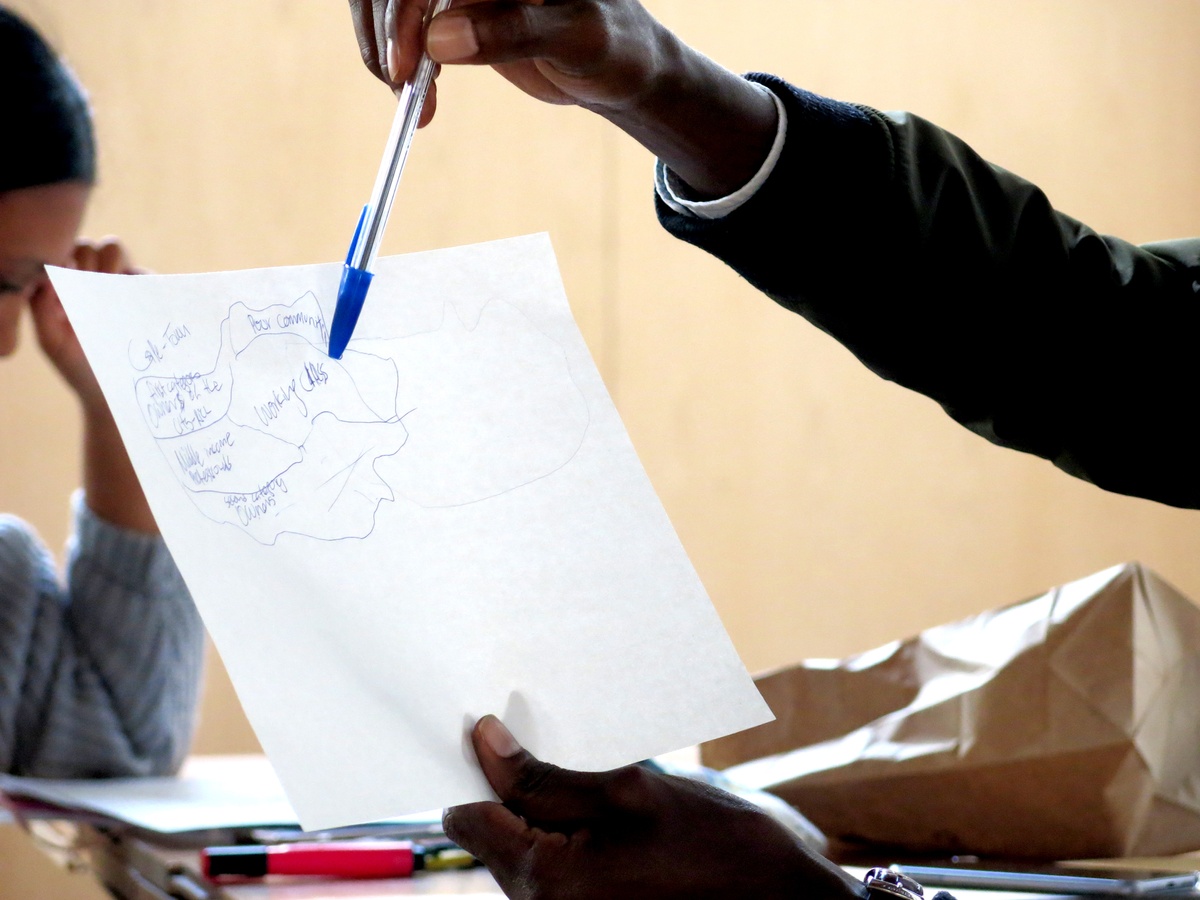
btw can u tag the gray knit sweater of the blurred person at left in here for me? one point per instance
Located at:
(100, 677)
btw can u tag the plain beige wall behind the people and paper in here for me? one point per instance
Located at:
(826, 511)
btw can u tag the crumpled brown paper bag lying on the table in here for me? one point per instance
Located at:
(1066, 727)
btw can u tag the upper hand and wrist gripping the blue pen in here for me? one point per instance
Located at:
(710, 127)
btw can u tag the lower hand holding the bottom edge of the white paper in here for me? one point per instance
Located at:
(629, 833)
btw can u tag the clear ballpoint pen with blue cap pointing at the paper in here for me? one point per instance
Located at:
(357, 273)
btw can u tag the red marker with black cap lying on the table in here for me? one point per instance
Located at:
(334, 860)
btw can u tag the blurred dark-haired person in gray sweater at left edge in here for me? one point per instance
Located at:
(99, 676)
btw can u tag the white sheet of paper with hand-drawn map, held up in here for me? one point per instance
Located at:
(449, 521)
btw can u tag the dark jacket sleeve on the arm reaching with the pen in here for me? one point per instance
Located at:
(959, 280)
